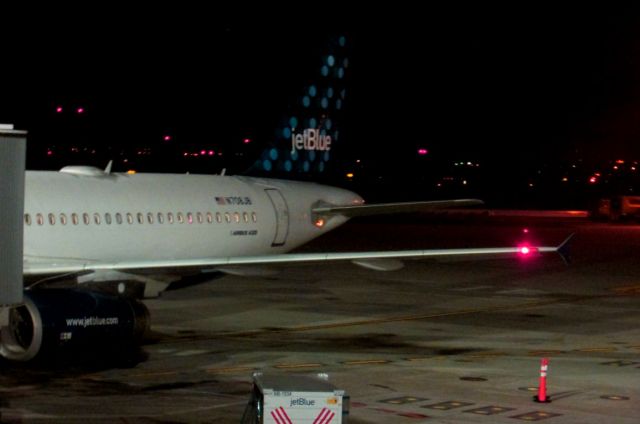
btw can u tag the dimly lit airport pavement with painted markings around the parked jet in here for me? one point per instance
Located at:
(445, 341)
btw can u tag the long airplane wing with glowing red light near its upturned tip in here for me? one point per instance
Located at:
(379, 260)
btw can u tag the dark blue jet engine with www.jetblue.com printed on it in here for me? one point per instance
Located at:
(55, 319)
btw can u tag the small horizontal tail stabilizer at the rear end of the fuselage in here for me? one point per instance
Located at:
(387, 208)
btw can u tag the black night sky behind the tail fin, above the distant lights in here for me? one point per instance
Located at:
(520, 84)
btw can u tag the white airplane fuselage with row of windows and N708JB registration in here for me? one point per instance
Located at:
(121, 217)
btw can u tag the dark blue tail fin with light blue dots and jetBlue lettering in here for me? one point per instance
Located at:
(308, 134)
